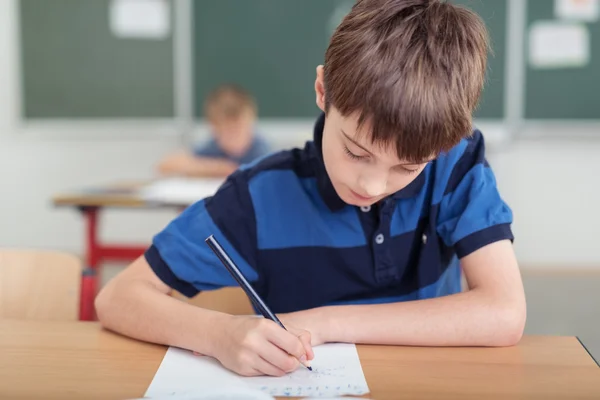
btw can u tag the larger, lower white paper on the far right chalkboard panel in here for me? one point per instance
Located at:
(558, 45)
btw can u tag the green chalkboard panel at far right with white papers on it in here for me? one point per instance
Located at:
(562, 93)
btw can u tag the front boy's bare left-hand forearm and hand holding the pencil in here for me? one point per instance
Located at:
(137, 304)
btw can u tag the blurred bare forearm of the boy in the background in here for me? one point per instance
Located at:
(188, 164)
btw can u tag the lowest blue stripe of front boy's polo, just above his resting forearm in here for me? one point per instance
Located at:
(449, 283)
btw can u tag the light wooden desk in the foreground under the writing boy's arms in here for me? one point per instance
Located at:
(79, 360)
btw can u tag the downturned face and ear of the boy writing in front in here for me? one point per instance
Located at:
(361, 173)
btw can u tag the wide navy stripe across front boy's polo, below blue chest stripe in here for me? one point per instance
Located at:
(293, 279)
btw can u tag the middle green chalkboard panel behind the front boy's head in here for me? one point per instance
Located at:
(272, 48)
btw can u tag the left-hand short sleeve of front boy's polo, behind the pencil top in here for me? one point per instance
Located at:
(179, 254)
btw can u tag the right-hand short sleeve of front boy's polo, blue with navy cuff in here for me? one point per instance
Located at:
(472, 213)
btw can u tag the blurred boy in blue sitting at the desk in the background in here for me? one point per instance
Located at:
(231, 113)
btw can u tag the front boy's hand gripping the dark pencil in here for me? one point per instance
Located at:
(252, 346)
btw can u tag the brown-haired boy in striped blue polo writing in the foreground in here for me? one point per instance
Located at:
(361, 235)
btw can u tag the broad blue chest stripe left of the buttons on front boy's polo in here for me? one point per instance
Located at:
(291, 213)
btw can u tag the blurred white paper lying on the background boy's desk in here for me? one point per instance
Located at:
(180, 190)
